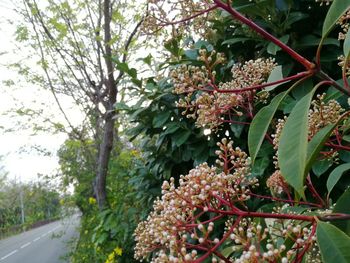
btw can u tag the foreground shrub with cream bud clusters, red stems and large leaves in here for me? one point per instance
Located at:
(225, 213)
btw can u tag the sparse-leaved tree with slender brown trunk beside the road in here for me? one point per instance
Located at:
(83, 48)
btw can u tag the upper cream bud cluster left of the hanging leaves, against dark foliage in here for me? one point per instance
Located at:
(212, 103)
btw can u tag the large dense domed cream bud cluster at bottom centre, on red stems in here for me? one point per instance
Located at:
(175, 228)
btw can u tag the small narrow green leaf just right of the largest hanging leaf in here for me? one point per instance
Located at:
(316, 144)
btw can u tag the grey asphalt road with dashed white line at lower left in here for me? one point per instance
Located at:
(45, 244)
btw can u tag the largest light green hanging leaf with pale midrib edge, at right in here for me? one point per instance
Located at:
(292, 151)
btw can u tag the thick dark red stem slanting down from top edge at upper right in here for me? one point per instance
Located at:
(227, 7)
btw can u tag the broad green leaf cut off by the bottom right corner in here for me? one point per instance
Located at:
(334, 244)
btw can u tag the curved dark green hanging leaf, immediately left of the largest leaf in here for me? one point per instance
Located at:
(260, 124)
